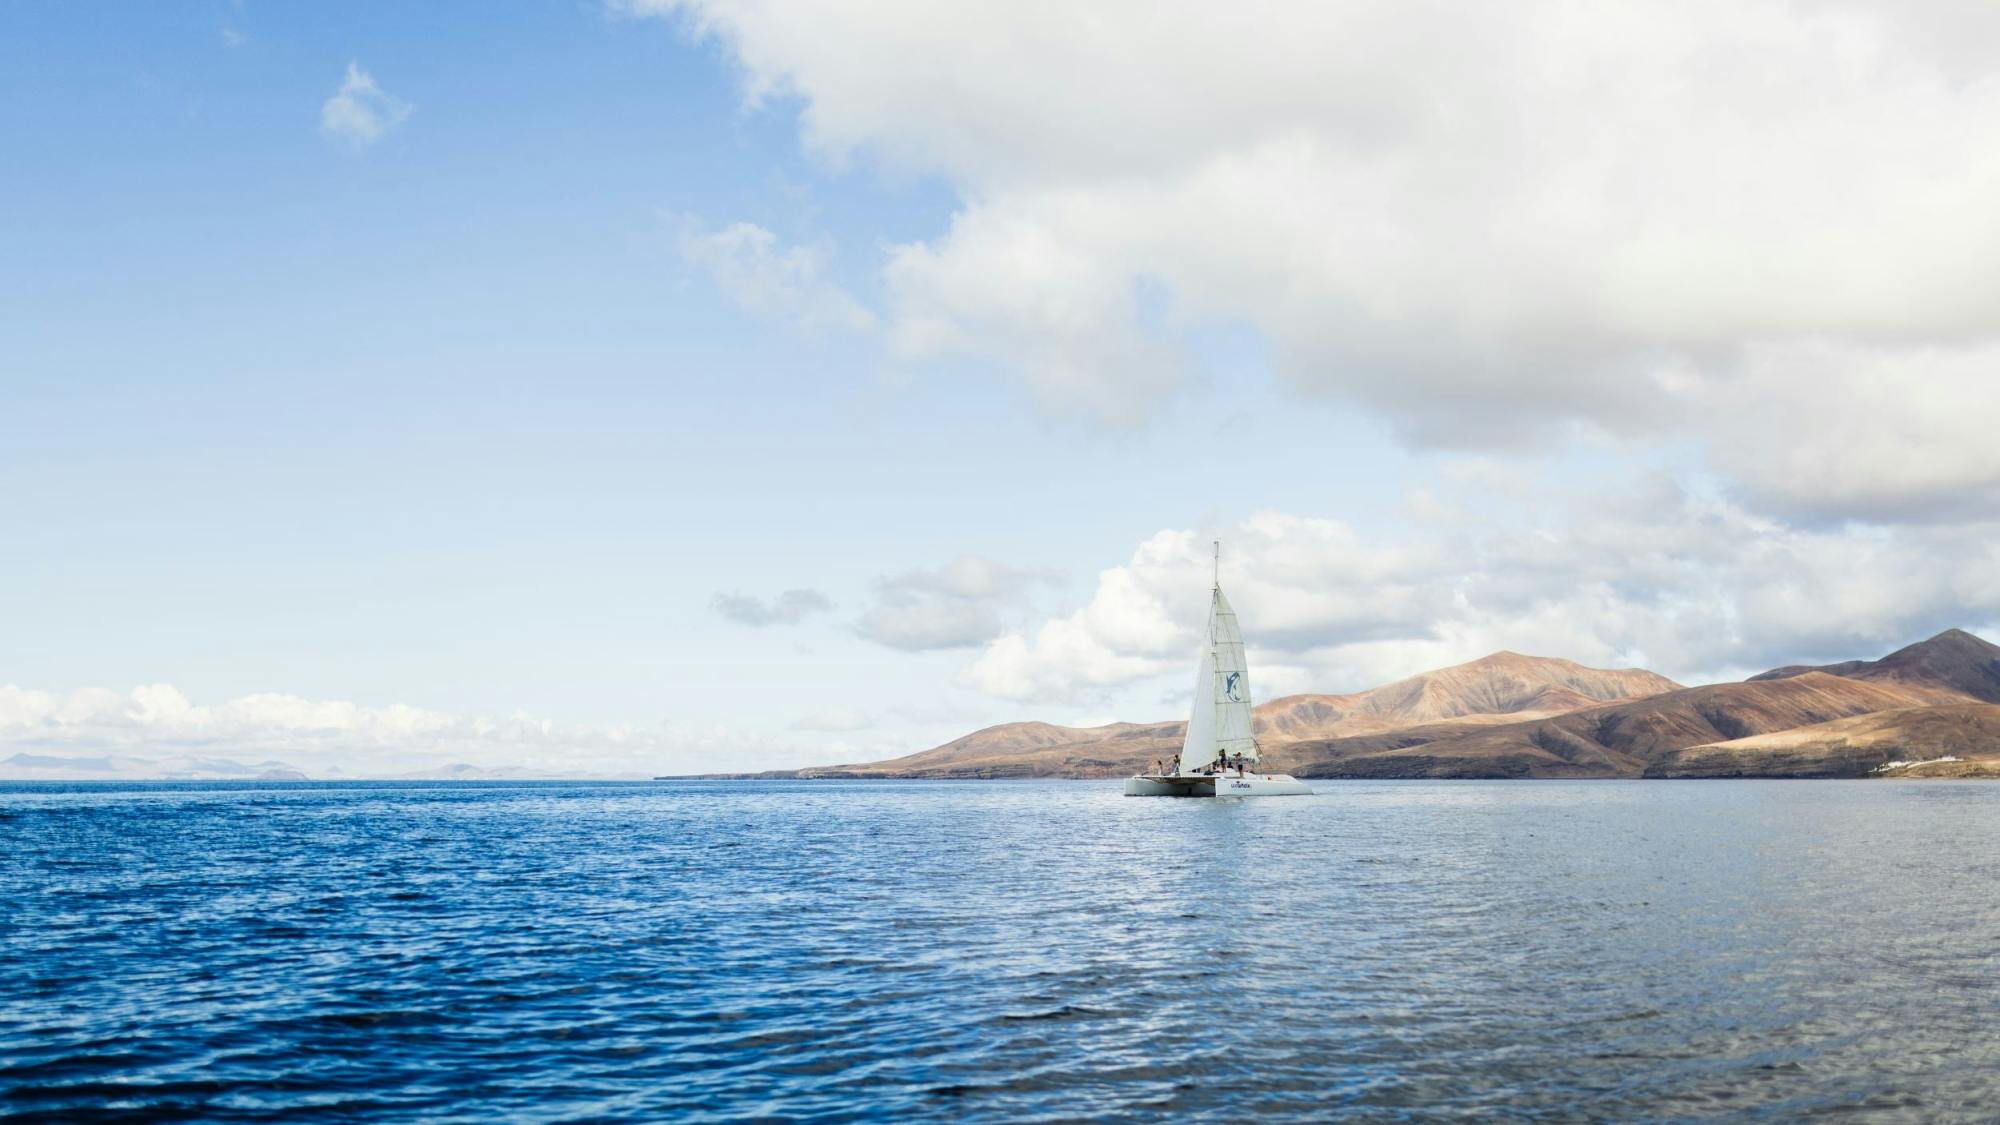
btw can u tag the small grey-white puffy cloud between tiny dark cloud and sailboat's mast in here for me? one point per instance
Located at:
(959, 606)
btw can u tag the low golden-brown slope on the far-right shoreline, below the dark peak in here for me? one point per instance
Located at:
(1863, 746)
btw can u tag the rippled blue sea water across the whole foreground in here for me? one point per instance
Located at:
(981, 952)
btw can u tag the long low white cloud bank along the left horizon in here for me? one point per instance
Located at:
(157, 728)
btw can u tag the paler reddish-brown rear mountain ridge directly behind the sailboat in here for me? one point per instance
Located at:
(1493, 690)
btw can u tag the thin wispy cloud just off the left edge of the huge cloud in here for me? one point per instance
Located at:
(767, 277)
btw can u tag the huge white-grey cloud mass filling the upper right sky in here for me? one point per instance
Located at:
(1493, 225)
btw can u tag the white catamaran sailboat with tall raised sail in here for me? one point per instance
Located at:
(1221, 726)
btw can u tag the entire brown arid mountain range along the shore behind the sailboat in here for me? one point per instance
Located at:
(1921, 712)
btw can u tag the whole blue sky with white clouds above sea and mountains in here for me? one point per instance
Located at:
(667, 385)
